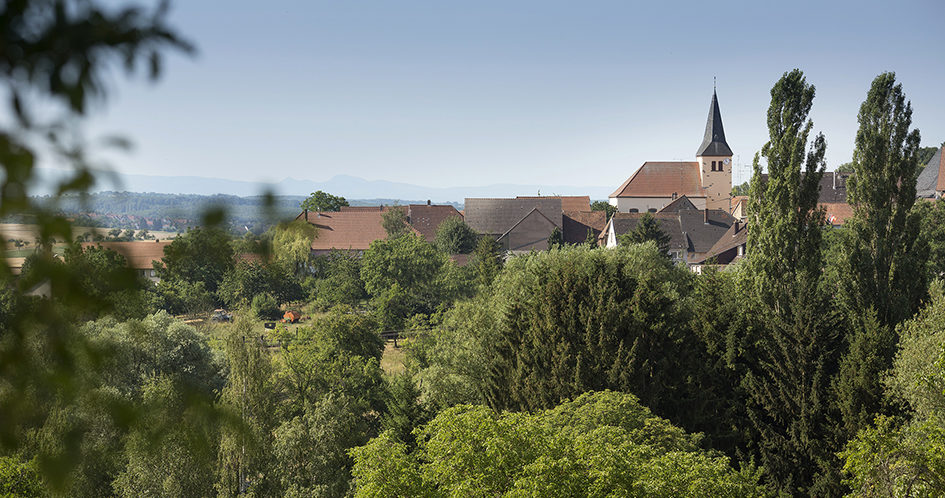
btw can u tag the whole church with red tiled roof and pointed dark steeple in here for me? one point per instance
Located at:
(707, 181)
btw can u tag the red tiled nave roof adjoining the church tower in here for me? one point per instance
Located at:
(663, 179)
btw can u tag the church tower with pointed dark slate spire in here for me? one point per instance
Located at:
(715, 161)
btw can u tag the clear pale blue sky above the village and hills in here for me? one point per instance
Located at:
(448, 93)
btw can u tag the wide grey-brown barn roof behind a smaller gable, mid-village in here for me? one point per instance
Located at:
(497, 216)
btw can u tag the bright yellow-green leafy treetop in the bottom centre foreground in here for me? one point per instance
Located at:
(601, 444)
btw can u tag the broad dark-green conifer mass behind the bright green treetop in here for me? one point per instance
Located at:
(564, 322)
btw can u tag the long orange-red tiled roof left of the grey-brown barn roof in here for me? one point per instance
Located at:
(346, 230)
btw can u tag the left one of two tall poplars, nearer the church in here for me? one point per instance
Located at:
(790, 360)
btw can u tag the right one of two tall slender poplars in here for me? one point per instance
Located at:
(883, 266)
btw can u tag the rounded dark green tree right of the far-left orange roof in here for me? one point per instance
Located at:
(200, 255)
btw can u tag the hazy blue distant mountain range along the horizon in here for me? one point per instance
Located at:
(350, 187)
